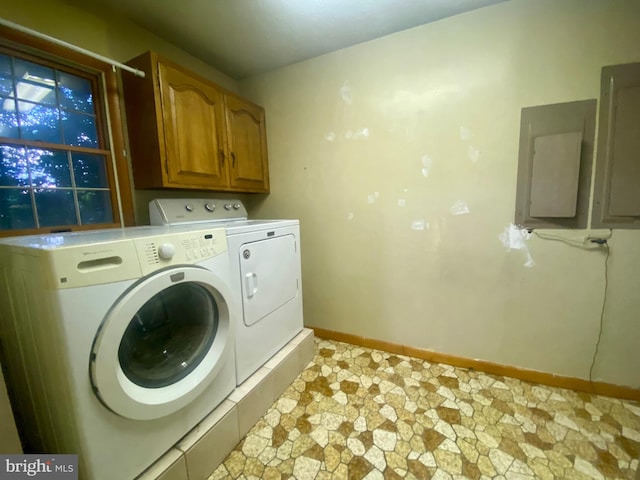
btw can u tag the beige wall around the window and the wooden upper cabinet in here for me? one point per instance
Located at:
(80, 23)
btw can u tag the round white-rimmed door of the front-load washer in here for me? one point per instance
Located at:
(162, 343)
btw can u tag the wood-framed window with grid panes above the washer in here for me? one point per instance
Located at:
(59, 167)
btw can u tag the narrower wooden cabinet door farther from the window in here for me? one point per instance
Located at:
(247, 146)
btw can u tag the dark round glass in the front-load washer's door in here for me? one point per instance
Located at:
(169, 336)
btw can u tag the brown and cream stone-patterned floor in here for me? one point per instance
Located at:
(357, 413)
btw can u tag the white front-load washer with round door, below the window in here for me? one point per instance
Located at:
(117, 342)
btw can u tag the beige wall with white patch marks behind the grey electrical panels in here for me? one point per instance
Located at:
(370, 143)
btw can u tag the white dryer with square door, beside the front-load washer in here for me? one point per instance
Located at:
(265, 272)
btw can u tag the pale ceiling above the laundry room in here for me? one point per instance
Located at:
(242, 38)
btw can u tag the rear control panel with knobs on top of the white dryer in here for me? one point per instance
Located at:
(176, 211)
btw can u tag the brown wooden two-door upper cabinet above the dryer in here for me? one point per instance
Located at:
(186, 132)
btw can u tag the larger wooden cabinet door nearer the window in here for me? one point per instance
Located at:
(193, 117)
